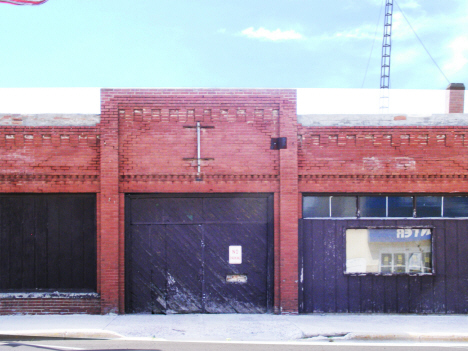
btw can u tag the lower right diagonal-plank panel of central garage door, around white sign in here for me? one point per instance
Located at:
(247, 297)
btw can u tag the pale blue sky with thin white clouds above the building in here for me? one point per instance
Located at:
(232, 43)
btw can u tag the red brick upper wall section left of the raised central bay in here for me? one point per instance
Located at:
(49, 159)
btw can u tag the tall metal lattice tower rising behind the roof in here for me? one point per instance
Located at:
(385, 63)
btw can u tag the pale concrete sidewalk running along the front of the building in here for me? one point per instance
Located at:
(241, 327)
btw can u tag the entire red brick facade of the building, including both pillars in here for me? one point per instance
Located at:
(146, 143)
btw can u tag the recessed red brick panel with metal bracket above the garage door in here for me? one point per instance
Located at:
(156, 143)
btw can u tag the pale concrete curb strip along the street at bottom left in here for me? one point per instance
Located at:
(60, 334)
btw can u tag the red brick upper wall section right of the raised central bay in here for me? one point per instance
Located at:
(383, 159)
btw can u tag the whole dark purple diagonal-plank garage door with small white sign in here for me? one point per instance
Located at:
(181, 254)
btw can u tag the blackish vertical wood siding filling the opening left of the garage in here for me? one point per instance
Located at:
(47, 242)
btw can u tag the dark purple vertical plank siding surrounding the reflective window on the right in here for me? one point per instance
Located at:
(324, 287)
